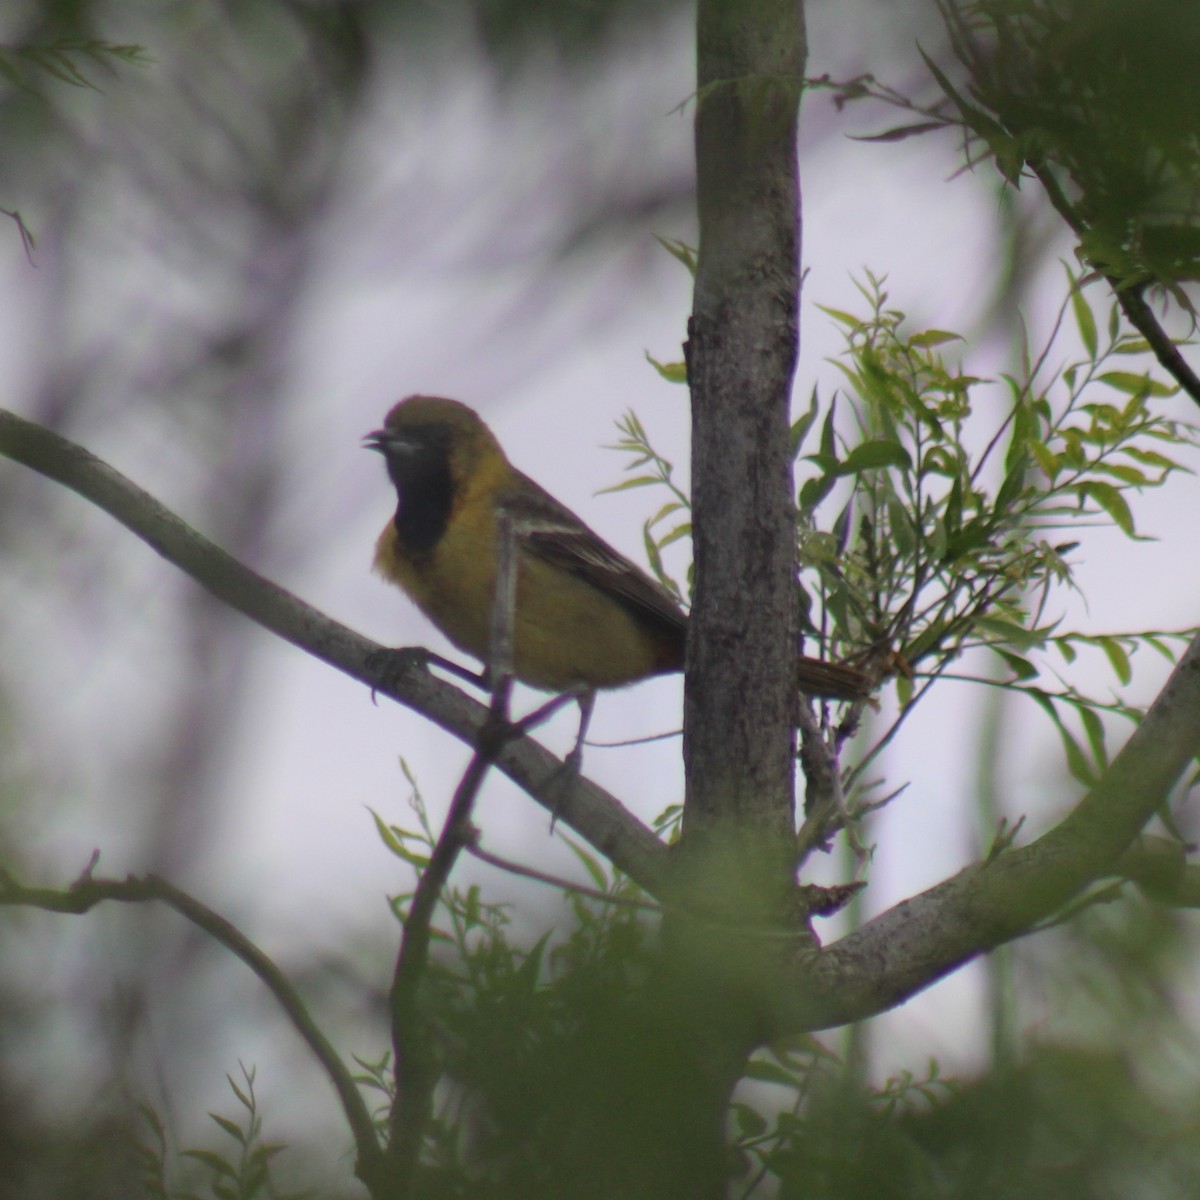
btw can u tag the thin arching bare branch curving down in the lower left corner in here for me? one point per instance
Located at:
(87, 892)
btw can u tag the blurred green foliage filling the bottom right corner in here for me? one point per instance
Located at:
(1103, 1101)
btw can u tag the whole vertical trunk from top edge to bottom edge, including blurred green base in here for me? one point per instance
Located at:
(739, 844)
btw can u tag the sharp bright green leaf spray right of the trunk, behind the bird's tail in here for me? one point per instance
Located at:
(952, 530)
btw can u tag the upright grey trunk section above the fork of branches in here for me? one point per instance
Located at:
(741, 685)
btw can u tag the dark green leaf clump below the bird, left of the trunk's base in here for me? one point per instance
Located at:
(518, 1030)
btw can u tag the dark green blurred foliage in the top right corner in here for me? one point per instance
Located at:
(1101, 94)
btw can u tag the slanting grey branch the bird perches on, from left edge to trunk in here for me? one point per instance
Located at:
(593, 813)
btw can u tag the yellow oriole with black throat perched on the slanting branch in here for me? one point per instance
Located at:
(585, 616)
